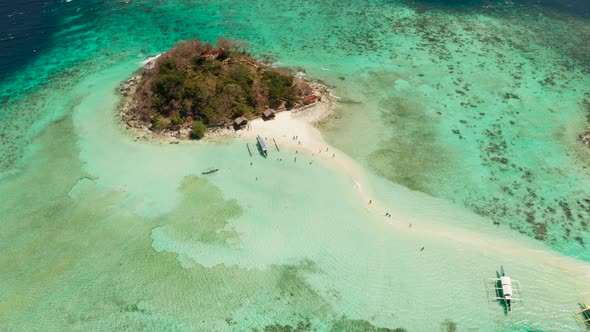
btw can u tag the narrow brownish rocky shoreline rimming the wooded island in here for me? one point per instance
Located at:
(132, 123)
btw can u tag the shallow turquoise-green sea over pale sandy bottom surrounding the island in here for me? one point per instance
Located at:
(463, 121)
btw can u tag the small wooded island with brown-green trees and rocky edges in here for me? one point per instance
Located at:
(197, 86)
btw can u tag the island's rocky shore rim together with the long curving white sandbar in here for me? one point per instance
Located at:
(296, 131)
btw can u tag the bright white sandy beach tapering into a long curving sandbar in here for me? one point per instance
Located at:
(309, 141)
